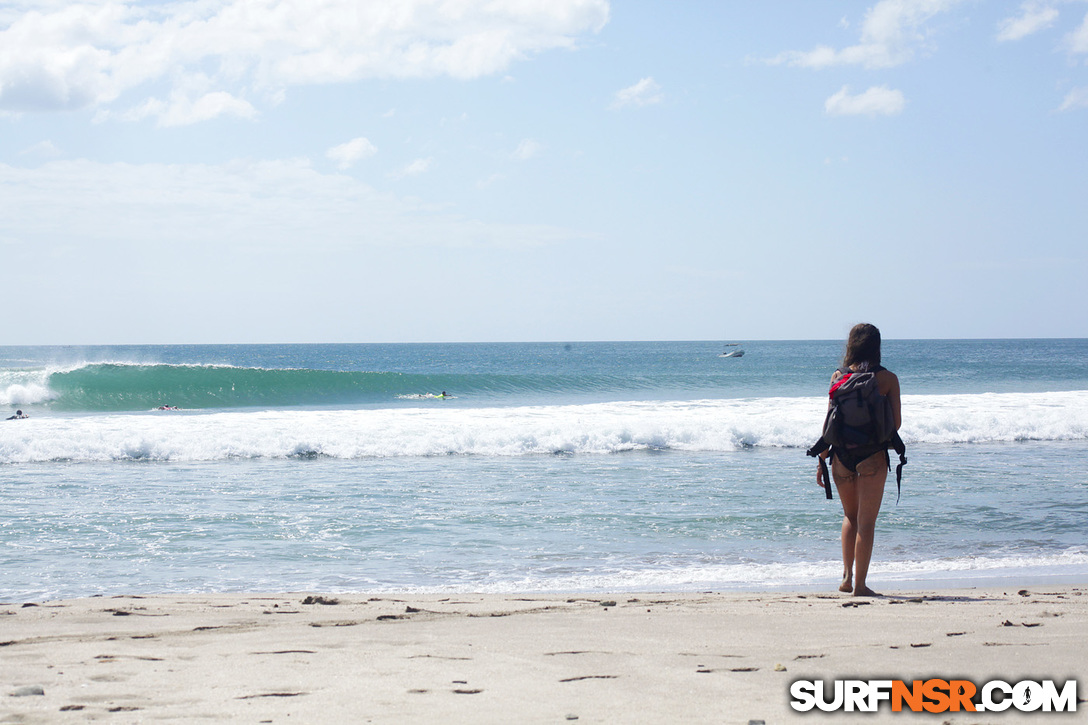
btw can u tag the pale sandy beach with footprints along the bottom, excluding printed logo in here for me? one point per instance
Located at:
(691, 658)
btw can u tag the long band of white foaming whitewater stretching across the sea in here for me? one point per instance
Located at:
(437, 429)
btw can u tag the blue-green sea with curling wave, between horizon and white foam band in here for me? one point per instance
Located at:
(204, 377)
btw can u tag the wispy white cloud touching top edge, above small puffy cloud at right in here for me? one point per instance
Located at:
(892, 32)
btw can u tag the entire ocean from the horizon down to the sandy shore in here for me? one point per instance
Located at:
(580, 468)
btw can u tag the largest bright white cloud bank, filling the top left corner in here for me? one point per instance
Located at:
(59, 56)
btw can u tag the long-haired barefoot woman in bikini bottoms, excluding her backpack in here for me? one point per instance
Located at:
(860, 475)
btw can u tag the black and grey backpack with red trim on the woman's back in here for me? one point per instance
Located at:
(860, 419)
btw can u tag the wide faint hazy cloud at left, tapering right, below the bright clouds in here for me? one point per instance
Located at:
(219, 208)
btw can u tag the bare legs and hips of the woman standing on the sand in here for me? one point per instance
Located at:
(861, 495)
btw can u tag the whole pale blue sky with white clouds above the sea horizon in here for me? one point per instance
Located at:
(244, 171)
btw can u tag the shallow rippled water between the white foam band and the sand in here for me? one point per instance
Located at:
(641, 521)
